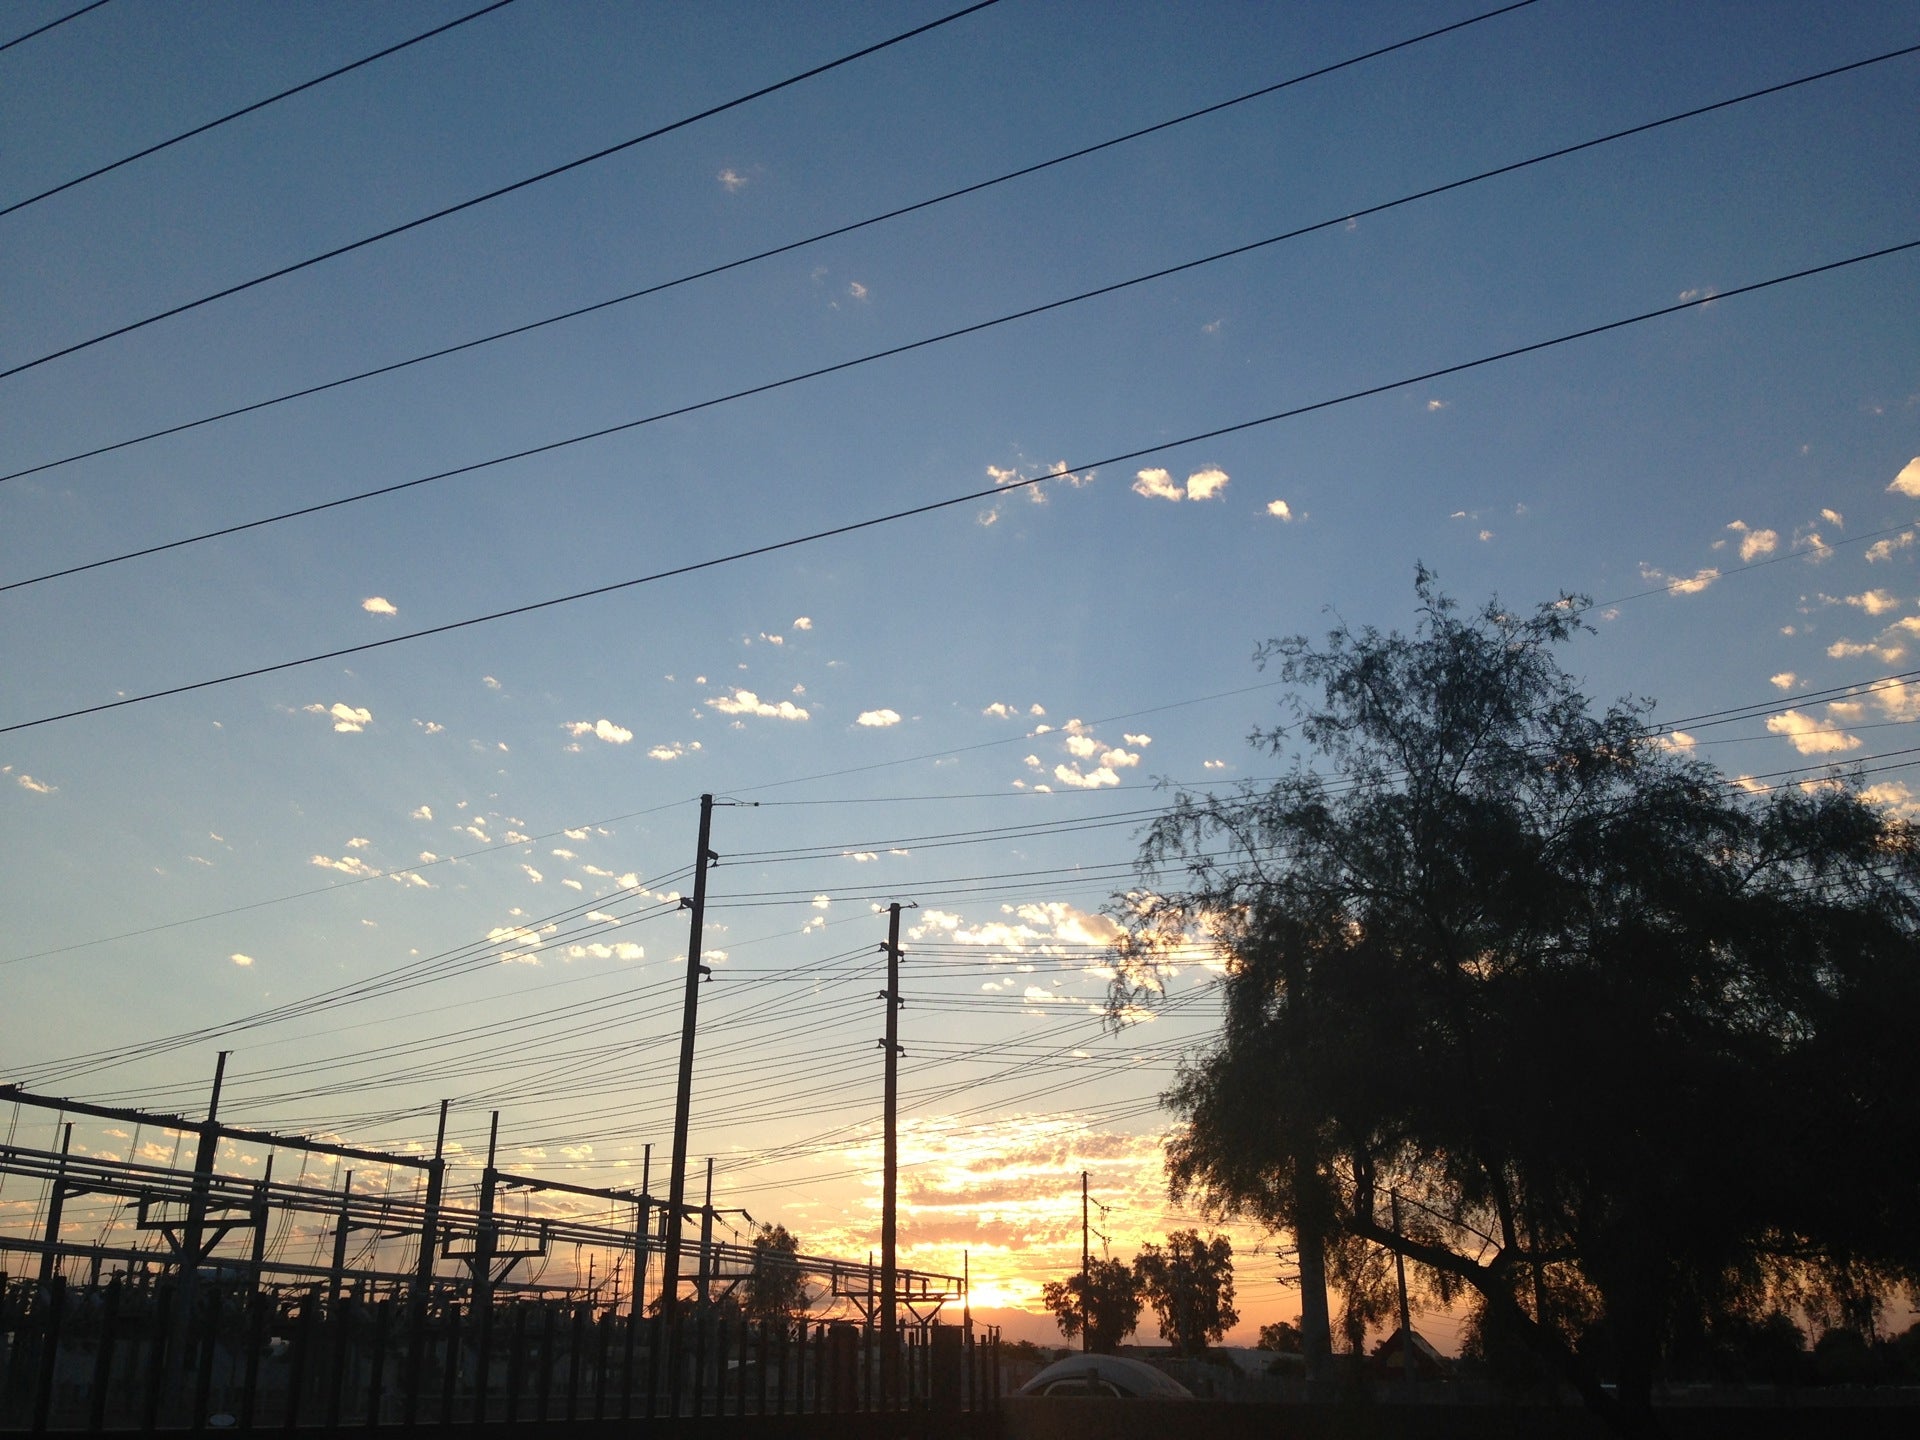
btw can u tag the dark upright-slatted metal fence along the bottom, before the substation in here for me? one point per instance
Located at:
(216, 1353)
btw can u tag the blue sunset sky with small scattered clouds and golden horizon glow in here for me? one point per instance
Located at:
(971, 711)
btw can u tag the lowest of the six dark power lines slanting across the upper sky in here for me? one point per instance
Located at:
(972, 496)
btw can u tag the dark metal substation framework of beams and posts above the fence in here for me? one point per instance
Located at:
(195, 1222)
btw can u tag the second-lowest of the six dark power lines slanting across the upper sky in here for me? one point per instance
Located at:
(924, 343)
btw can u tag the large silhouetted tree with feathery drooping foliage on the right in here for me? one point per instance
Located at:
(1633, 1047)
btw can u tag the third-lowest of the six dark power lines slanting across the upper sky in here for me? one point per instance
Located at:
(769, 254)
